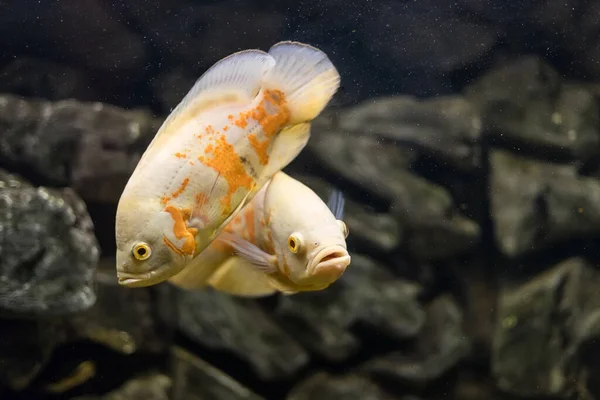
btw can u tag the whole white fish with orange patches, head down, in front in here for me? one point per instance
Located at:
(247, 117)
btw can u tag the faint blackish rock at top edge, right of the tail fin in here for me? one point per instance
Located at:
(434, 36)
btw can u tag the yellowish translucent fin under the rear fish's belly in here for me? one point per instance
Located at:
(237, 276)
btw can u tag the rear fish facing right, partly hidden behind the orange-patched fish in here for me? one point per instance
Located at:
(286, 240)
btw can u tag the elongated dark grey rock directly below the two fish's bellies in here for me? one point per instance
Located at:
(221, 322)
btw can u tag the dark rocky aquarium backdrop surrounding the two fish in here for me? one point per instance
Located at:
(464, 137)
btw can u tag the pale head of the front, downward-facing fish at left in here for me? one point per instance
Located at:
(144, 256)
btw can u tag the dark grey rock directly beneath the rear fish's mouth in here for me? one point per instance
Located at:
(366, 294)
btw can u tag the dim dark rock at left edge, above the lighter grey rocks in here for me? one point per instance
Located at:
(41, 78)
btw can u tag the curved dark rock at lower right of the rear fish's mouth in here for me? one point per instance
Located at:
(440, 347)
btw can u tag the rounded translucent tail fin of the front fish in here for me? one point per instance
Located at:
(305, 75)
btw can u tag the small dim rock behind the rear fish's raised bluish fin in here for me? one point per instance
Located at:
(370, 231)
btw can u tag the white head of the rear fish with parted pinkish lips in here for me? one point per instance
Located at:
(309, 241)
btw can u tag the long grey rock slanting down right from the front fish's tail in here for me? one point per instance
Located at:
(430, 222)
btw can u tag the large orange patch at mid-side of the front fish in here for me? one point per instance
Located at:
(229, 165)
